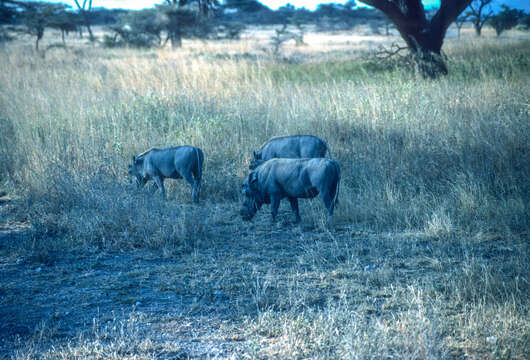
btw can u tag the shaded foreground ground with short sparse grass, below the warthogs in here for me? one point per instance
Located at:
(256, 290)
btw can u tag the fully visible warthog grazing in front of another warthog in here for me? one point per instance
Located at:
(290, 178)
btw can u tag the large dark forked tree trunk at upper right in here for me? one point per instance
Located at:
(424, 36)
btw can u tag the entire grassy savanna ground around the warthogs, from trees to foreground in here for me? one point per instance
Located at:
(426, 258)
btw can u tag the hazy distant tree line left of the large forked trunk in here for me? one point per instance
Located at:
(172, 20)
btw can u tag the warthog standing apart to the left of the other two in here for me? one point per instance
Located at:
(174, 163)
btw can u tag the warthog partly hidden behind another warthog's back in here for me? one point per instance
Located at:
(290, 147)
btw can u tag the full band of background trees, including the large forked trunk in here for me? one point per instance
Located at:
(171, 21)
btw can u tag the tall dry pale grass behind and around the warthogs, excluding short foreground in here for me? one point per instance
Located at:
(442, 157)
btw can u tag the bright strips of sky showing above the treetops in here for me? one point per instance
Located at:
(273, 4)
